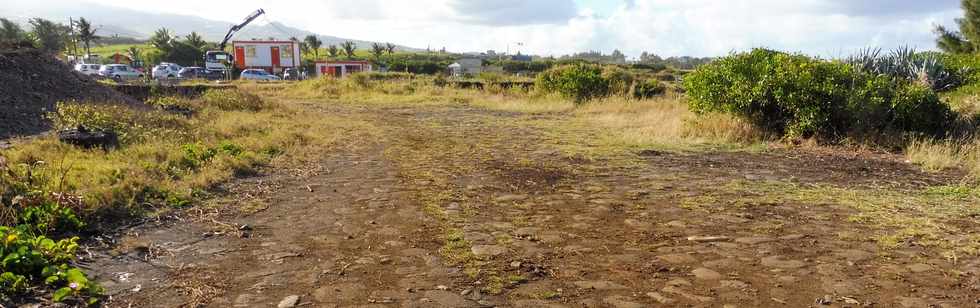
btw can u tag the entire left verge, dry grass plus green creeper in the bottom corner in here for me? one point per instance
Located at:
(168, 155)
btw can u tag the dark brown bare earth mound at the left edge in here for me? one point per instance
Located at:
(32, 82)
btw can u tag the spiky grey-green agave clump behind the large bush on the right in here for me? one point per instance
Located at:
(906, 63)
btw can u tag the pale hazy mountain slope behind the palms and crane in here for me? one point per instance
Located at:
(115, 21)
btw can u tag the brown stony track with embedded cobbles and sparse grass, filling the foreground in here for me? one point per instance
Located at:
(454, 206)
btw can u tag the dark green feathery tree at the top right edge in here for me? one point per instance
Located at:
(967, 39)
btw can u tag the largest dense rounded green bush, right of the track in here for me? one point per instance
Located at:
(798, 96)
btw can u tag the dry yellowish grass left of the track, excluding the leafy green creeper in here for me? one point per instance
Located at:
(157, 168)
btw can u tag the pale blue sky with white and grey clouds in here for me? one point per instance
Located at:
(828, 28)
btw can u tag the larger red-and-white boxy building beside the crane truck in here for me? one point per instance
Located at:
(272, 56)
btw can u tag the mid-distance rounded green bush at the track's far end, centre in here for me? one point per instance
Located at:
(580, 82)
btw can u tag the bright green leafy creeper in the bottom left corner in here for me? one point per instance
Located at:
(28, 257)
